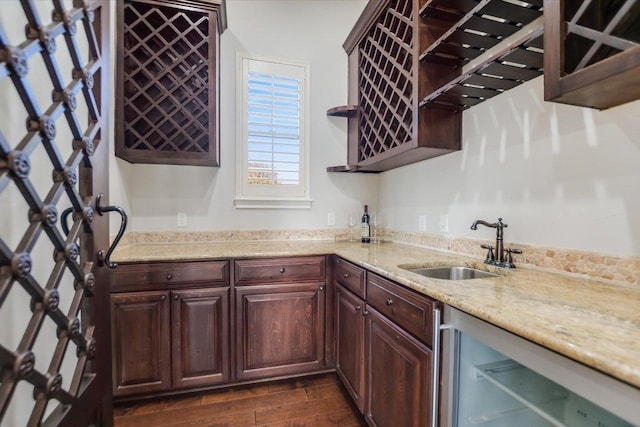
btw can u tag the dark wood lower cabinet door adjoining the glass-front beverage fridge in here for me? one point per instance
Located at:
(398, 378)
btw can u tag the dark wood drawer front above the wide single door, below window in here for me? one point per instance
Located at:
(268, 270)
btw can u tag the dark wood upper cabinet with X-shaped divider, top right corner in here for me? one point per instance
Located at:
(592, 52)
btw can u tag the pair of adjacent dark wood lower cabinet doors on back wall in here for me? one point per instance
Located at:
(165, 340)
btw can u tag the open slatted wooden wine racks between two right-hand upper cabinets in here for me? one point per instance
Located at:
(484, 47)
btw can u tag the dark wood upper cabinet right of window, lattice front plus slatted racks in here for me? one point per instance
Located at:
(415, 65)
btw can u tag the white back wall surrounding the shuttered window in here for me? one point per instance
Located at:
(302, 31)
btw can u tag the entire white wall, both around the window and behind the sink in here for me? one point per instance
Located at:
(560, 176)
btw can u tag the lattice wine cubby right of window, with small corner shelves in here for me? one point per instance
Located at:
(387, 128)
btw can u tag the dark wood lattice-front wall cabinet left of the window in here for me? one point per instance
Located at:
(168, 82)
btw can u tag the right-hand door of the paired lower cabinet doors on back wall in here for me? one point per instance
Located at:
(200, 347)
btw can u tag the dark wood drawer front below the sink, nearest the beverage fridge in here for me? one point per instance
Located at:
(410, 311)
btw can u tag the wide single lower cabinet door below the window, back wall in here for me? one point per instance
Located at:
(280, 329)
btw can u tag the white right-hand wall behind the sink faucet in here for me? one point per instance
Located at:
(560, 176)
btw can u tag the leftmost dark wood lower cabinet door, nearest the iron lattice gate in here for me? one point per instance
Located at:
(140, 338)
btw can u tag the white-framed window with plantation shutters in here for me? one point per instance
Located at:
(273, 144)
